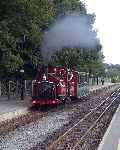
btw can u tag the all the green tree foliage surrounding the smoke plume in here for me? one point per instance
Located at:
(32, 18)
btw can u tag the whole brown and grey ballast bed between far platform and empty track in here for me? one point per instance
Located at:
(29, 131)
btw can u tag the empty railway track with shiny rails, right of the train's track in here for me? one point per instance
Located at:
(71, 139)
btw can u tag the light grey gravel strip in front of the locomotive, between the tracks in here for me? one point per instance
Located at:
(29, 135)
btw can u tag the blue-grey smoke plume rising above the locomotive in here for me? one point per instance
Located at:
(70, 31)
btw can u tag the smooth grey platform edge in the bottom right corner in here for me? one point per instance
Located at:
(111, 139)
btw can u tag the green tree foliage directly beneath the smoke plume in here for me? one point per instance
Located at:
(85, 60)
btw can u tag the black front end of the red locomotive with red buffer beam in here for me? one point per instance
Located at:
(44, 93)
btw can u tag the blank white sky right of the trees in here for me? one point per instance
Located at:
(108, 26)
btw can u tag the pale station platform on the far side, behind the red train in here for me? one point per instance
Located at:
(12, 108)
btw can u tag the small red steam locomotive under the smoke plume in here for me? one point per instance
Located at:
(55, 85)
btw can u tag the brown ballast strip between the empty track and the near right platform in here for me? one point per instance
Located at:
(93, 139)
